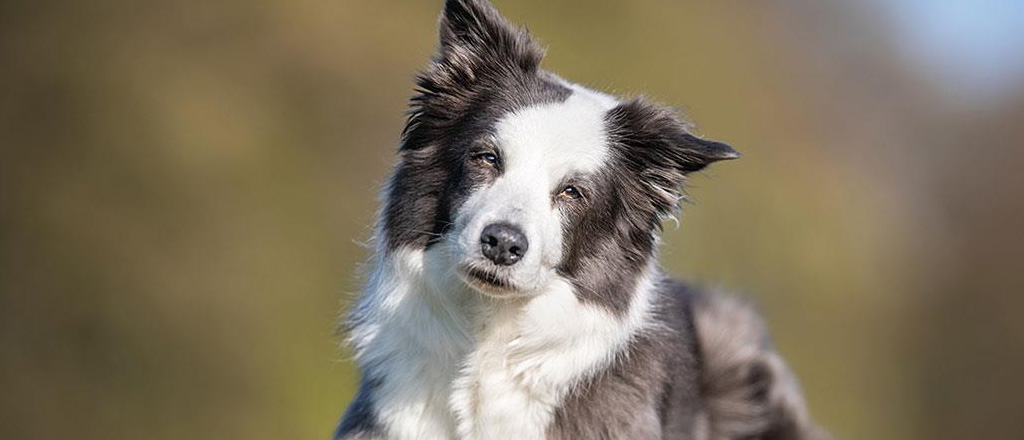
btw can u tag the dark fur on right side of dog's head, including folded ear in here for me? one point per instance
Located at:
(610, 243)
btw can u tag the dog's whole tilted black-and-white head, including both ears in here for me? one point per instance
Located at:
(515, 179)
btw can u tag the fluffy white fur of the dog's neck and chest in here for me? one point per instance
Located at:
(457, 366)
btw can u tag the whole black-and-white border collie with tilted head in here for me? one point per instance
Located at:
(515, 292)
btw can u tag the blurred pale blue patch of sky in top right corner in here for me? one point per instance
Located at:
(974, 49)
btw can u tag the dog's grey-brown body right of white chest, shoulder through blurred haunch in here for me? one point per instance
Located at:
(705, 369)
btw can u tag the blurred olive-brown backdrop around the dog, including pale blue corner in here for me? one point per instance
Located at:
(186, 188)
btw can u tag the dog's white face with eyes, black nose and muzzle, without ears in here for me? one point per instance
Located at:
(528, 184)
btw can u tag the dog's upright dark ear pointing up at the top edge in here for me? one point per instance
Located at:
(477, 41)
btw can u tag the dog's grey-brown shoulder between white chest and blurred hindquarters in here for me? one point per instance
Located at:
(653, 380)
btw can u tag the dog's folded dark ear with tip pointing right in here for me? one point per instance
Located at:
(659, 148)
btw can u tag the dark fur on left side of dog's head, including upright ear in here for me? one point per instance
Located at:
(485, 70)
